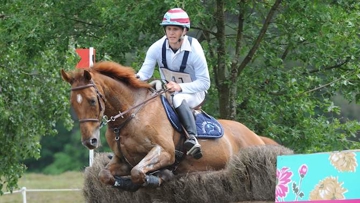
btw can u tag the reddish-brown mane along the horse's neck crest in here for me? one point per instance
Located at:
(119, 72)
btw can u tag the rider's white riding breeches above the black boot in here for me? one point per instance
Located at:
(193, 99)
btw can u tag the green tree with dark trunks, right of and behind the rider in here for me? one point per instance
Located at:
(302, 52)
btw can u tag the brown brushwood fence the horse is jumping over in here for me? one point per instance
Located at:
(250, 176)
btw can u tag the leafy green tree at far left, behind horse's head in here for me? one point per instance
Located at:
(33, 97)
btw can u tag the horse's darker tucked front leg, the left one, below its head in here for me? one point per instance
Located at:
(116, 167)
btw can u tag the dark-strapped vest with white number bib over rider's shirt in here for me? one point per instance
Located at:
(176, 76)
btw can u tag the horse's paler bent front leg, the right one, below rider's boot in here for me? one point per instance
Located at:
(156, 159)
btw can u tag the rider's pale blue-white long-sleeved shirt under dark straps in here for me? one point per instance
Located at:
(196, 64)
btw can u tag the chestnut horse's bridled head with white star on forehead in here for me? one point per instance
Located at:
(88, 104)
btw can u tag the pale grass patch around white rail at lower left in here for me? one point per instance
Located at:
(68, 180)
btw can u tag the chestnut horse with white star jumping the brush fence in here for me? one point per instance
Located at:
(139, 133)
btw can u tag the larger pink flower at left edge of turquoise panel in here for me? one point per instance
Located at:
(283, 179)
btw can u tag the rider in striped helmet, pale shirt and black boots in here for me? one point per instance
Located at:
(183, 66)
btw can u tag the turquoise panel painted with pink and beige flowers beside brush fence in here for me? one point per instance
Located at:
(329, 177)
